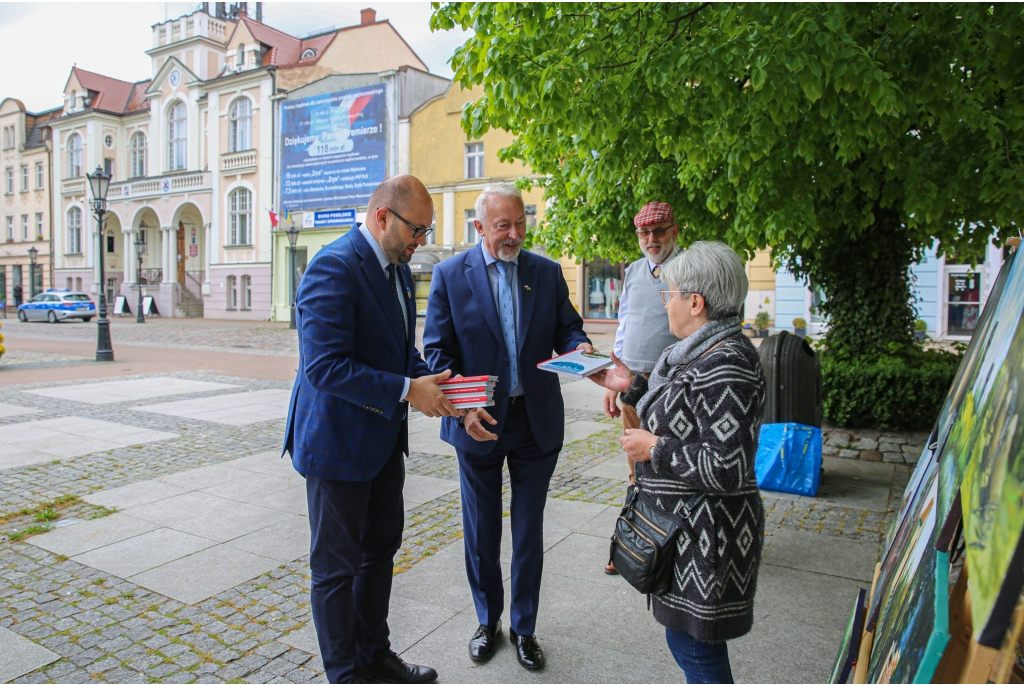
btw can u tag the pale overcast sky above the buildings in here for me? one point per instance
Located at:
(40, 42)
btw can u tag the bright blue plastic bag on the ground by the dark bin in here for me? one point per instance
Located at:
(789, 458)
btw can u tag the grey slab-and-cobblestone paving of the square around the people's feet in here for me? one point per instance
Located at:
(184, 558)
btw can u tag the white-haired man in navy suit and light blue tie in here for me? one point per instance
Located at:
(498, 311)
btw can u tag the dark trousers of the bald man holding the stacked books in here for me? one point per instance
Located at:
(357, 530)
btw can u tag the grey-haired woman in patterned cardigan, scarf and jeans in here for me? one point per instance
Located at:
(700, 412)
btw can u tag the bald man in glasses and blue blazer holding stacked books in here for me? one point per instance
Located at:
(348, 427)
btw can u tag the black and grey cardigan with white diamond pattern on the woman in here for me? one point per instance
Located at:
(708, 418)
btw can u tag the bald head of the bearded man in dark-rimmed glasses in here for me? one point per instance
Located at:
(407, 196)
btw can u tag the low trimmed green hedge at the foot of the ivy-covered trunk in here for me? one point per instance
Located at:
(893, 394)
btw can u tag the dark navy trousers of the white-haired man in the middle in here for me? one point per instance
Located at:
(530, 474)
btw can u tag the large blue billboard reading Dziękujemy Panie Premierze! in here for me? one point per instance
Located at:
(334, 149)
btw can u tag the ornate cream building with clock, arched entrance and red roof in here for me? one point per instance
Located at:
(192, 155)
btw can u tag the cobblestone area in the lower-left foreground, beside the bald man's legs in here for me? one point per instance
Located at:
(110, 630)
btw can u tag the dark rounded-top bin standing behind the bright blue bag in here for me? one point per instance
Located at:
(793, 380)
